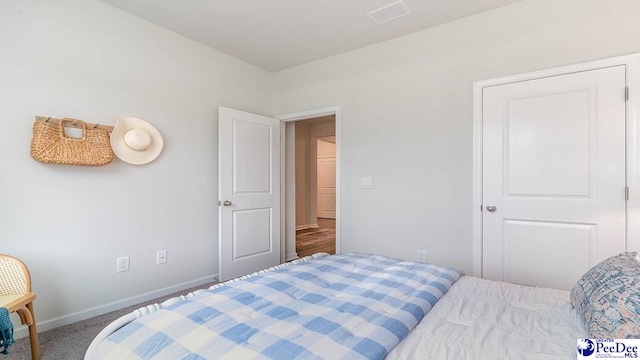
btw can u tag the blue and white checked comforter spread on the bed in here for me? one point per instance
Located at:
(346, 306)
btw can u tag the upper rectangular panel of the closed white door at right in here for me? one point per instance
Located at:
(548, 142)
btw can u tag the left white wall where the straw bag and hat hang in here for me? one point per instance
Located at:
(86, 60)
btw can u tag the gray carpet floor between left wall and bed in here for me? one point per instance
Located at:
(71, 341)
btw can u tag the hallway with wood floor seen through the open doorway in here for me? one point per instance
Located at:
(315, 184)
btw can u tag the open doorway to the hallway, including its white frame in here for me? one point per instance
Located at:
(323, 125)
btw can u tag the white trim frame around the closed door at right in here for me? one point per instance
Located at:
(632, 231)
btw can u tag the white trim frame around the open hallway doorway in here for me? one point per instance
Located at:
(305, 115)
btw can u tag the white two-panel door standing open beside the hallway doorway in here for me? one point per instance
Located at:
(249, 192)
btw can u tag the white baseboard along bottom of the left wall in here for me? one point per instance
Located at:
(49, 324)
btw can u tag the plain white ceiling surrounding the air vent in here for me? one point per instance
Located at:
(278, 34)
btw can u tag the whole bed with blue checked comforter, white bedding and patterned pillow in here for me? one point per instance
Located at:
(354, 306)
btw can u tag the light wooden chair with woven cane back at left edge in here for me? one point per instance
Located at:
(16, 296)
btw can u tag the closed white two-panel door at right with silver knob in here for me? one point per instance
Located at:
(554, 171)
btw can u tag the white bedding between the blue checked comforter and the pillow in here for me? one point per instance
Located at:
(482, 319)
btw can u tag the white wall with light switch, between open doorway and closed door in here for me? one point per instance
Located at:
(406, 110)
